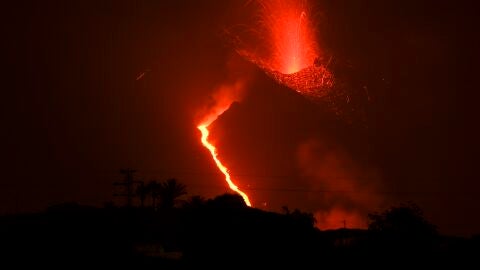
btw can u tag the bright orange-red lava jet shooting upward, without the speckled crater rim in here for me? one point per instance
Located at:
(291, 35)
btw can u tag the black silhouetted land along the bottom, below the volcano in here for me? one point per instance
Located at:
(214, 235)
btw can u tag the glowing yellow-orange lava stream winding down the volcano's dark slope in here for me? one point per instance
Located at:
(223, 103)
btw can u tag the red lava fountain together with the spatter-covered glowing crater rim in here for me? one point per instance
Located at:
(292, 55)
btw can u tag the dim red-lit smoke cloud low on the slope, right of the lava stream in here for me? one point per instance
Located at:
(344, 191)
